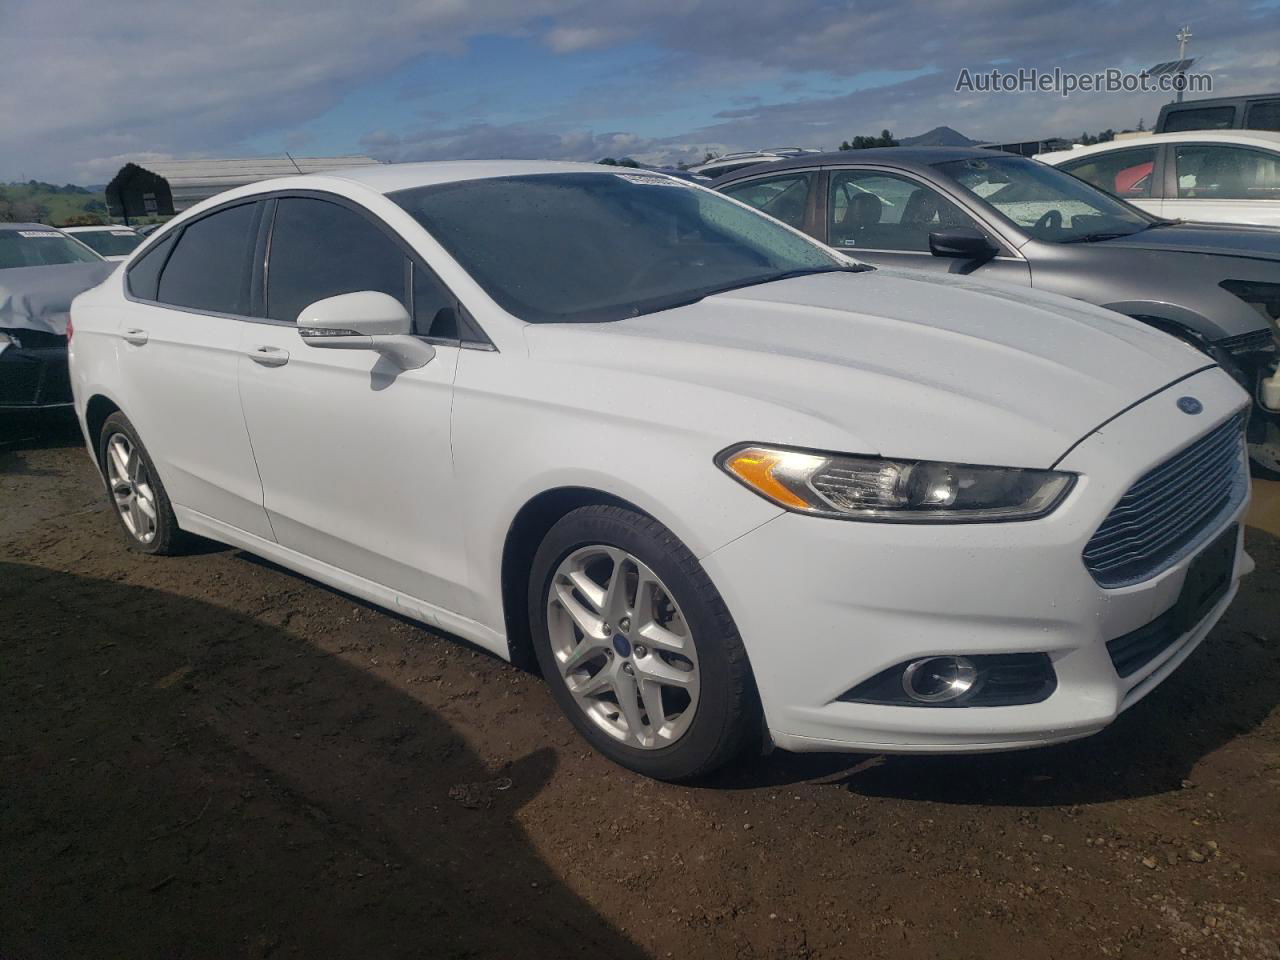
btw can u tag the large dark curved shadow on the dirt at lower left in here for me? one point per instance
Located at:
(184, 781)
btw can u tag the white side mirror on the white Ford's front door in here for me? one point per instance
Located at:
(365, 321)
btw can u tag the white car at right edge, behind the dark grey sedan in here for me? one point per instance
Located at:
(1209, 176)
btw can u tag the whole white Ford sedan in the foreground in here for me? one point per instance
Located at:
(723, 486)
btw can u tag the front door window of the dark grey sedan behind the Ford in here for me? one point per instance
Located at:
(872, 211)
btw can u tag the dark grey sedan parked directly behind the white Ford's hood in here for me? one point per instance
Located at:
(956, 211)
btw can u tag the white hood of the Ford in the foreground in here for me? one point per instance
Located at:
(888, 363)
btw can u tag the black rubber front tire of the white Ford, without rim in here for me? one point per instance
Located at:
(729, 711)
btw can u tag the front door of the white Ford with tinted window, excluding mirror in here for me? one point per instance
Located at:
(354, 452)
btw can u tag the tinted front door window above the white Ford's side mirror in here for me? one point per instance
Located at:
(323, 250)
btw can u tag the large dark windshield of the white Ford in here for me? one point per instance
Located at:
(606, 246)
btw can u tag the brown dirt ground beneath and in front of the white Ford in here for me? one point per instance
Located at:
(209, 757)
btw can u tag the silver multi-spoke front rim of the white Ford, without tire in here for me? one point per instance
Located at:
(623, 647)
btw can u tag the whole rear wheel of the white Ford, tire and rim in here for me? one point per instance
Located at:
(135, 490)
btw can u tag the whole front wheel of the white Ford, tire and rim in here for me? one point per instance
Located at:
(638, 646)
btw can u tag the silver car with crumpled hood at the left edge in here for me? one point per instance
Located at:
(42, 271)
